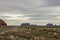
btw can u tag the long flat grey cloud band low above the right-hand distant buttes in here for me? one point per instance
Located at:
(42, 17)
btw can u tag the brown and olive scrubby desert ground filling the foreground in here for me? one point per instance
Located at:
(32, 33)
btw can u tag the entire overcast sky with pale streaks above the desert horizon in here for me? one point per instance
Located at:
(15, 12)
